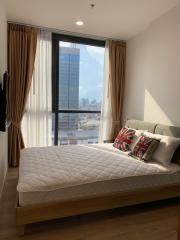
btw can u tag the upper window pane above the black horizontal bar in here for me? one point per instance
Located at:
(80, 76)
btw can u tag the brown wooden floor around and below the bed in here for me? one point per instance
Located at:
(157, 221)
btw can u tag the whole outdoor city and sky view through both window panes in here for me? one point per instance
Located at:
(80, 87)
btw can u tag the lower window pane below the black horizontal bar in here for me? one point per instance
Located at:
(82, 128)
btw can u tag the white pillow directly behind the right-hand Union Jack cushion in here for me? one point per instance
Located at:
(166, 148)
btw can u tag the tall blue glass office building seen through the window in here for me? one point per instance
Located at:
(69, 85)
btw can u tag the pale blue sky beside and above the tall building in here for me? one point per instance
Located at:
(91, 71)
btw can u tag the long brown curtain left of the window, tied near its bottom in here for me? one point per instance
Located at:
(22, 42)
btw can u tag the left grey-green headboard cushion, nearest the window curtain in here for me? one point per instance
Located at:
(141, 125)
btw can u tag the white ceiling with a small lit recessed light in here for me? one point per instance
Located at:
(118, 19)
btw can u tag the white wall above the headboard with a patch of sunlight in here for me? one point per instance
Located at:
(152, 90)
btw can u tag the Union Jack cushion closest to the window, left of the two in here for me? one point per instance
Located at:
(124, 139)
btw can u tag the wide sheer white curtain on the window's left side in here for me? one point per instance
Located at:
(37, 120)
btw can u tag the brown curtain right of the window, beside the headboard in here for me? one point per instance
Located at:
(117, 61)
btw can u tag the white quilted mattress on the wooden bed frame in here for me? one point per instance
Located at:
(75, 171)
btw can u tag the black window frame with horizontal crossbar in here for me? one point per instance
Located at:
(56, 38)
